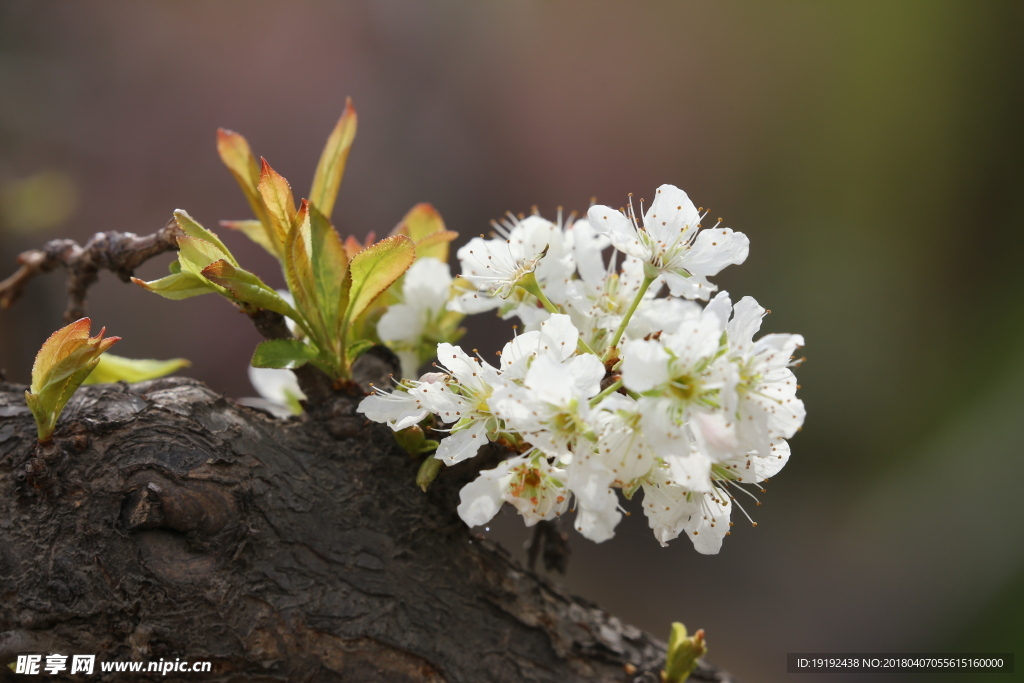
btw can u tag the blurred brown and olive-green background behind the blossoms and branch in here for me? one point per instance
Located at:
(872, 151)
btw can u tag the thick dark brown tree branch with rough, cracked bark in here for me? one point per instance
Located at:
(167, 522)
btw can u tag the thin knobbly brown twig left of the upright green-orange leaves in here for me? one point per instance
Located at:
(120, 253)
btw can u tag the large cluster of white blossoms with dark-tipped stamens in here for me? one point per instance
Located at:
(621, 380)
